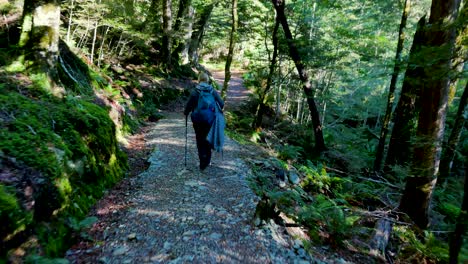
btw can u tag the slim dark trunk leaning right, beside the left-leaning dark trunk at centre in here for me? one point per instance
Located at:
(262, 104)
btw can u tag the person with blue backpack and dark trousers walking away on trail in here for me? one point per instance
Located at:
(202, 103)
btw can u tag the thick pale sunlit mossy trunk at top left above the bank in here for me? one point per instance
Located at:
(40, 34)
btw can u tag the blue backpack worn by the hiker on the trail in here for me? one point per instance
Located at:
(204, 112)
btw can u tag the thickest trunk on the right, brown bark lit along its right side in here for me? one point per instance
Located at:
(431, 121)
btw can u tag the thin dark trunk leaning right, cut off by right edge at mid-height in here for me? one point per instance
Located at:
(449, 151)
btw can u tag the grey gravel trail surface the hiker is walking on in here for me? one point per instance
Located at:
(176, 214)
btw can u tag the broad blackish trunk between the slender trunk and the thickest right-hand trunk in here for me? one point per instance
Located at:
(399, 148)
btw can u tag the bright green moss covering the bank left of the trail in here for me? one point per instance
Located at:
(72, 144)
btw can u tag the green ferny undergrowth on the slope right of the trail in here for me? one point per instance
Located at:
(337, 199)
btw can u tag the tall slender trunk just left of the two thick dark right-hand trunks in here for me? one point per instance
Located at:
(391, 91)
